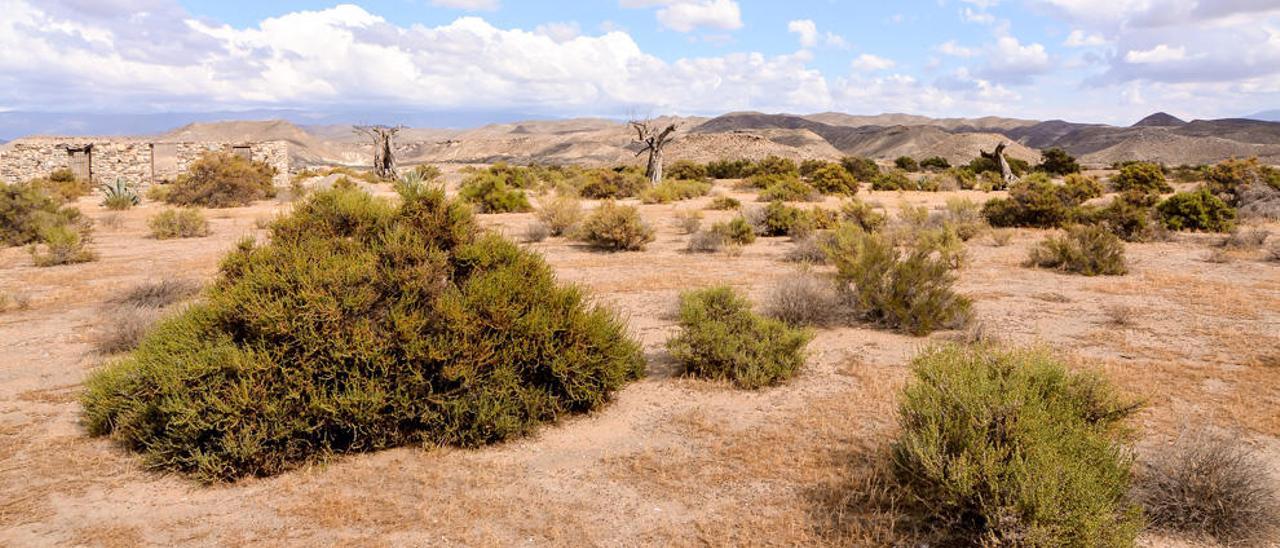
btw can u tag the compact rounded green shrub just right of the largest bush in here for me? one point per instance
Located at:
(721, 339)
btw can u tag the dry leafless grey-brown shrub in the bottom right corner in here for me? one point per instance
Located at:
(1212, 485)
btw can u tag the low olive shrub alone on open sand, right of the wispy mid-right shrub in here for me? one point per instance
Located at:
(1087, 250)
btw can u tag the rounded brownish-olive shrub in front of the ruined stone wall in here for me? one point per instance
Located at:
(222, 180)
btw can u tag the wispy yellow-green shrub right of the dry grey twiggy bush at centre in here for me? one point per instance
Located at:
(911, 293)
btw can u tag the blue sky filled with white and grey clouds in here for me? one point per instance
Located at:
(1082, 61)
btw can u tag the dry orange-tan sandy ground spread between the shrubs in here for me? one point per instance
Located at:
(673, 462)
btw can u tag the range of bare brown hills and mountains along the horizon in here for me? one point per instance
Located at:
(327, 140)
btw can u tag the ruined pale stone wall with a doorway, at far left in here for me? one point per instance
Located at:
(139, 162)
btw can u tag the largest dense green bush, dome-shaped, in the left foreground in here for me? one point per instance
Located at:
(359, 327)
